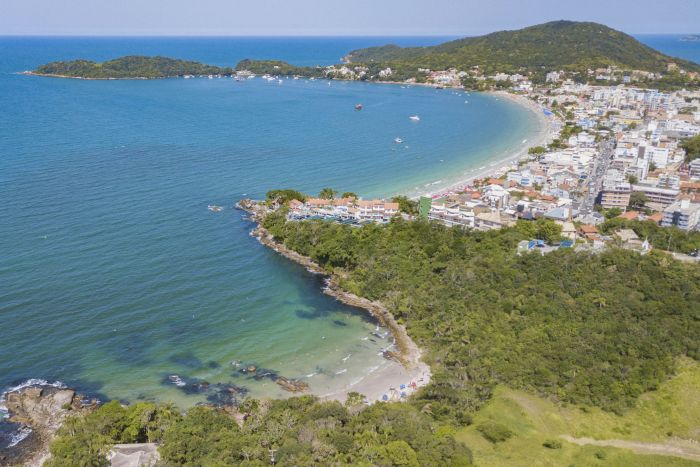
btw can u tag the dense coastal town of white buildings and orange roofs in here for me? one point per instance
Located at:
(617, 153)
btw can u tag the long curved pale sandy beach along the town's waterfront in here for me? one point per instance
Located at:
(549, 128)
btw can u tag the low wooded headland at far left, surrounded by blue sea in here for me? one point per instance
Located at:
(134, 66)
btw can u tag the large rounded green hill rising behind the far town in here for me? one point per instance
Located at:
(556, 45)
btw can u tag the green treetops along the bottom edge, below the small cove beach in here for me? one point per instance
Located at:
(297, 431)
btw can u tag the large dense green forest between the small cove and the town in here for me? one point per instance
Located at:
(577, 327)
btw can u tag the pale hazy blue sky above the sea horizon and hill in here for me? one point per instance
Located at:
(334, 17)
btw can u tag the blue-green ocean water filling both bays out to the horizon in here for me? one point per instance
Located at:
(116, 279)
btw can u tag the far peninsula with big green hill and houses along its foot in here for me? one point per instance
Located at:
(580, 50)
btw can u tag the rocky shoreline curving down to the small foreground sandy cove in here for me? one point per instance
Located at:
(404, 368)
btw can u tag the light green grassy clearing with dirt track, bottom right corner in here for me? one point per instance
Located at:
(669, 417)
